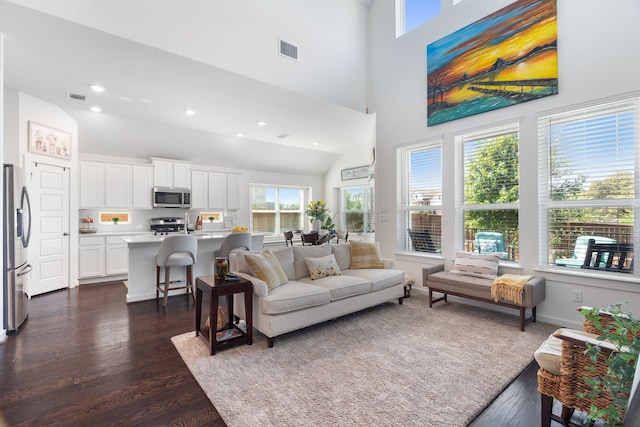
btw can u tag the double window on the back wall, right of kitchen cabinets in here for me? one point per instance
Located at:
(277, 209)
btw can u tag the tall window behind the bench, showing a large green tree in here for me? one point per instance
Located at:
(488, 191)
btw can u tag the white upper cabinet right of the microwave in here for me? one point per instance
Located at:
(214, 190)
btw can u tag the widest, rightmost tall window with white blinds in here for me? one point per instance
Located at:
(588, 182)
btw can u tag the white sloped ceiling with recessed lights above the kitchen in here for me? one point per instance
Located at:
(148, 89)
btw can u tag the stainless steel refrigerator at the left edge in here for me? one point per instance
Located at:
(17, 231)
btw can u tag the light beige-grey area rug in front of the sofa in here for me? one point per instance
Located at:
(391, 365)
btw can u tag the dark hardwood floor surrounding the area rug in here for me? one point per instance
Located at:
(85, 357)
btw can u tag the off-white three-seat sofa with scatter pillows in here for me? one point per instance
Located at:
(302, 302)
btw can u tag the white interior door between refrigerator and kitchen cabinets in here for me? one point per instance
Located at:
(49, 247)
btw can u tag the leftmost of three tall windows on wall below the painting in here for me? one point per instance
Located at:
(419, 197)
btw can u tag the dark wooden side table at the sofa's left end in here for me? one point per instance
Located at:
(216, 288)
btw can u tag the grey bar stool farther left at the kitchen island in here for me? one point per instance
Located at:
(175, 251)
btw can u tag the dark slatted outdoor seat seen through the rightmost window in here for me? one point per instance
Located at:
(609, 257)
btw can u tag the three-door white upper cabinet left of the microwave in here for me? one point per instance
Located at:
(115, 185)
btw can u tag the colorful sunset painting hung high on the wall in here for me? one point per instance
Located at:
(504, 59)
